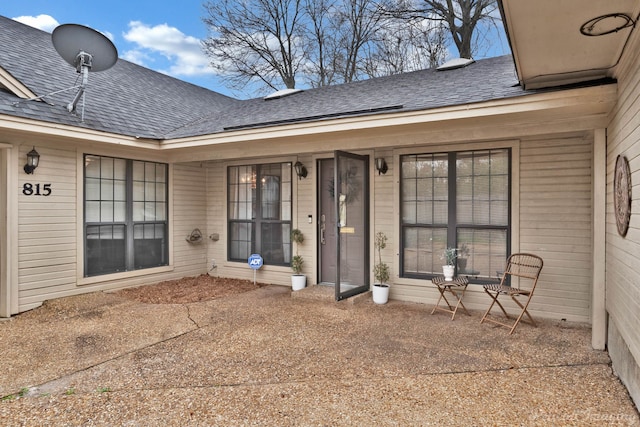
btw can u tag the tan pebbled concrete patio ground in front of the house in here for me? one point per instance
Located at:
(265, 358)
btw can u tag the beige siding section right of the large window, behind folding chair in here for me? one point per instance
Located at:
(555, 223)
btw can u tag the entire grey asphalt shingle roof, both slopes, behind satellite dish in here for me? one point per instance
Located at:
(132, 100)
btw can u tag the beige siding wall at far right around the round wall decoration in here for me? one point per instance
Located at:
(623, 253)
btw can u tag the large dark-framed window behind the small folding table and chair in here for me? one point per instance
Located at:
(472, 215)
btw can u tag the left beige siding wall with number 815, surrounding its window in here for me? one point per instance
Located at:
(49, 252)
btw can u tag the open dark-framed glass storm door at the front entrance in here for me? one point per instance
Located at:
(351, 179)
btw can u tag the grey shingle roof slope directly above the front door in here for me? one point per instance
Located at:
(484, 80)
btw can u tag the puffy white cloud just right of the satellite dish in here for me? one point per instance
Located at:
(183, 52)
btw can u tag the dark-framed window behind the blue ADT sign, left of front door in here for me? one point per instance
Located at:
(259, 212)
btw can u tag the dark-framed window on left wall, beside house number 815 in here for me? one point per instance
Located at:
(125, 215)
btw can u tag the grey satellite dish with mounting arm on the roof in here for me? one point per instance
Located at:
(85, 49)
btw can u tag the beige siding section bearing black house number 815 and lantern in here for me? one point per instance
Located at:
(47, 228)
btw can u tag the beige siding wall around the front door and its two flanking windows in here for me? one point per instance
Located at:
(553, 211)
